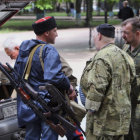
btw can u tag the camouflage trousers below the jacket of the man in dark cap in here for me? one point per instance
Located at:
(90, 136)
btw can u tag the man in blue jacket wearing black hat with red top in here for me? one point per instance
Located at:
(46, 32)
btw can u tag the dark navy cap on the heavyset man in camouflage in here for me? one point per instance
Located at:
(106, 30)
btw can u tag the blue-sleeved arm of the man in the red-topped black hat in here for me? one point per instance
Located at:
(53, 70)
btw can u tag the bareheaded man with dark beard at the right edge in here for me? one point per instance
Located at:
(131, 34)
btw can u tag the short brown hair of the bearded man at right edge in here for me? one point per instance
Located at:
(135, 22)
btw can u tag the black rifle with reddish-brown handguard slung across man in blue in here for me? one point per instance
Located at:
(28, 95)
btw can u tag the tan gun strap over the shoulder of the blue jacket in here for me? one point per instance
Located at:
(29, 61)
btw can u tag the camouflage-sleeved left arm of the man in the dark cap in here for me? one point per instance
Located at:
(98, 81)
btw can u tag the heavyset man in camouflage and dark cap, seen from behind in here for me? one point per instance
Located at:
(106, 81)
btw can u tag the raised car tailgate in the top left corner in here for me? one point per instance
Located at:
(9, 8)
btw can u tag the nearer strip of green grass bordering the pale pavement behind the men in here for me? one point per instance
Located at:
(25, 25)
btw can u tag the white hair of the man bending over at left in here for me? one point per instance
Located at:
(11, 42)
